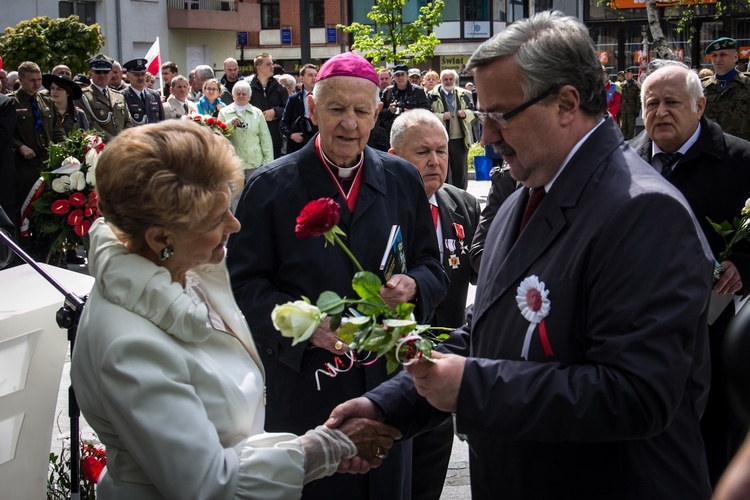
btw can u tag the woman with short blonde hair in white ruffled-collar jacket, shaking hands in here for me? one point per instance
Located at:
(164, 366)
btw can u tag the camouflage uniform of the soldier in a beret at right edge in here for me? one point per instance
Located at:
(730, 106)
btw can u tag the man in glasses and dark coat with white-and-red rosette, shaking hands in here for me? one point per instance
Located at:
(583, 369)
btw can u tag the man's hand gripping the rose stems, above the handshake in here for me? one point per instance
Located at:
(440, 381)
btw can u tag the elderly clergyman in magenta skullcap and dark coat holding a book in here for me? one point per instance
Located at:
(269, 265)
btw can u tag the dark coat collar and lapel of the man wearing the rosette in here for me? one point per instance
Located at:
(517, 254)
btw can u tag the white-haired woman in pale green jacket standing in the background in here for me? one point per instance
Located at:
(250, 138)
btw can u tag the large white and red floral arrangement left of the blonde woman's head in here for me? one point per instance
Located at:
(63, 203)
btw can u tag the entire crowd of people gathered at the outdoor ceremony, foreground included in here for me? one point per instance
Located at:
(590, 363)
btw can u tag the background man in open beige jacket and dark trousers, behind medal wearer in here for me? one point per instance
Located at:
(455, 107)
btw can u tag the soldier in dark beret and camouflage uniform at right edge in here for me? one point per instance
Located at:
(728, 91)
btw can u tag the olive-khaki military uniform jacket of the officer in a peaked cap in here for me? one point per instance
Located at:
(106, 113)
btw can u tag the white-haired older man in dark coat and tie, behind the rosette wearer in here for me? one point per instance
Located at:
(713, 172)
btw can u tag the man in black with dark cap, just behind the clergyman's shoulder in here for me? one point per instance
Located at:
(399, 97)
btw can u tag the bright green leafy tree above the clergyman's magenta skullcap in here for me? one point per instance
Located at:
(393, 41)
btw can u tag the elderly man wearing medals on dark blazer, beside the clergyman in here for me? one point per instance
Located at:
(419, 137)
